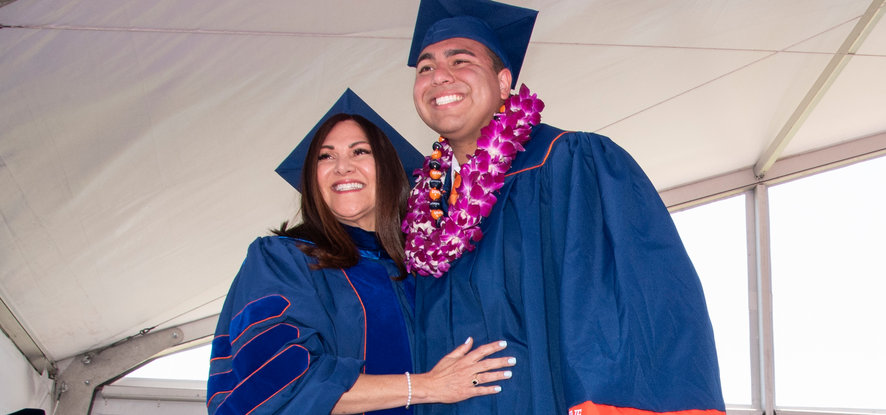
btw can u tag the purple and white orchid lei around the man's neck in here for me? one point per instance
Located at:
(432, 245)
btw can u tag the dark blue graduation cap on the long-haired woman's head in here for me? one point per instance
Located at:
(349, 103)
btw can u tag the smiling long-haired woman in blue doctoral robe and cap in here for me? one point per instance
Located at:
(319, 318)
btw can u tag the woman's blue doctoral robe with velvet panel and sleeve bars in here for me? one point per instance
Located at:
(292, 340)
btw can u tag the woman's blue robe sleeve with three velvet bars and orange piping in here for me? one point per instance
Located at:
(275, 349)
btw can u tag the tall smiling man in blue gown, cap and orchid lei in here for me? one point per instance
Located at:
(577, 264)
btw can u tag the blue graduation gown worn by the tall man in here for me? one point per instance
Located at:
(582, 271)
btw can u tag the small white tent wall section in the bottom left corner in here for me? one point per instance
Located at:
(20, 385)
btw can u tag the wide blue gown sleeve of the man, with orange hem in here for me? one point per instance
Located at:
(634, 334)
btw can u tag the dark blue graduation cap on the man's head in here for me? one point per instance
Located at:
(502, 28)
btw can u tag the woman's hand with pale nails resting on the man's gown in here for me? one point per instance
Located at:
(463, 374)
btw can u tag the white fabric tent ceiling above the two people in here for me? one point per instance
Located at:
(138, 138)
